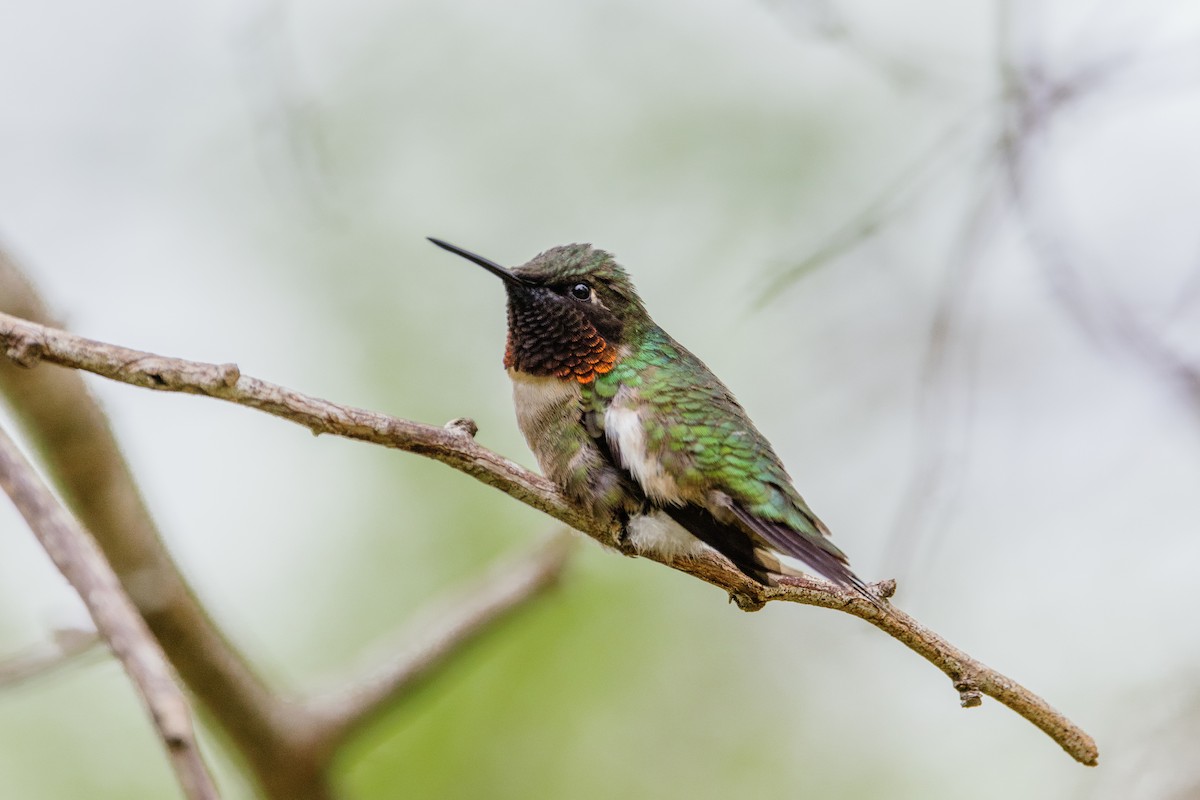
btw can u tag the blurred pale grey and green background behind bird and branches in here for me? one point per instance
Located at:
(946, 254)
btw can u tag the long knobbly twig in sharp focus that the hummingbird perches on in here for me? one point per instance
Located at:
(28, 342)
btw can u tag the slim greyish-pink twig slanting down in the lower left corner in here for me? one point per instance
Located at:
(77, 557)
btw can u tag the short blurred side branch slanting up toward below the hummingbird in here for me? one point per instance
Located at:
(446, 630)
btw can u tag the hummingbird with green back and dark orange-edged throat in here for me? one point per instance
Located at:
(631, 425)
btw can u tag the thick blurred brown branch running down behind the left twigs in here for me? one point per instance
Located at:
(77, 449)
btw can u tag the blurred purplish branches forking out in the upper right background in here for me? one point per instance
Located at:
(1030, 100)
